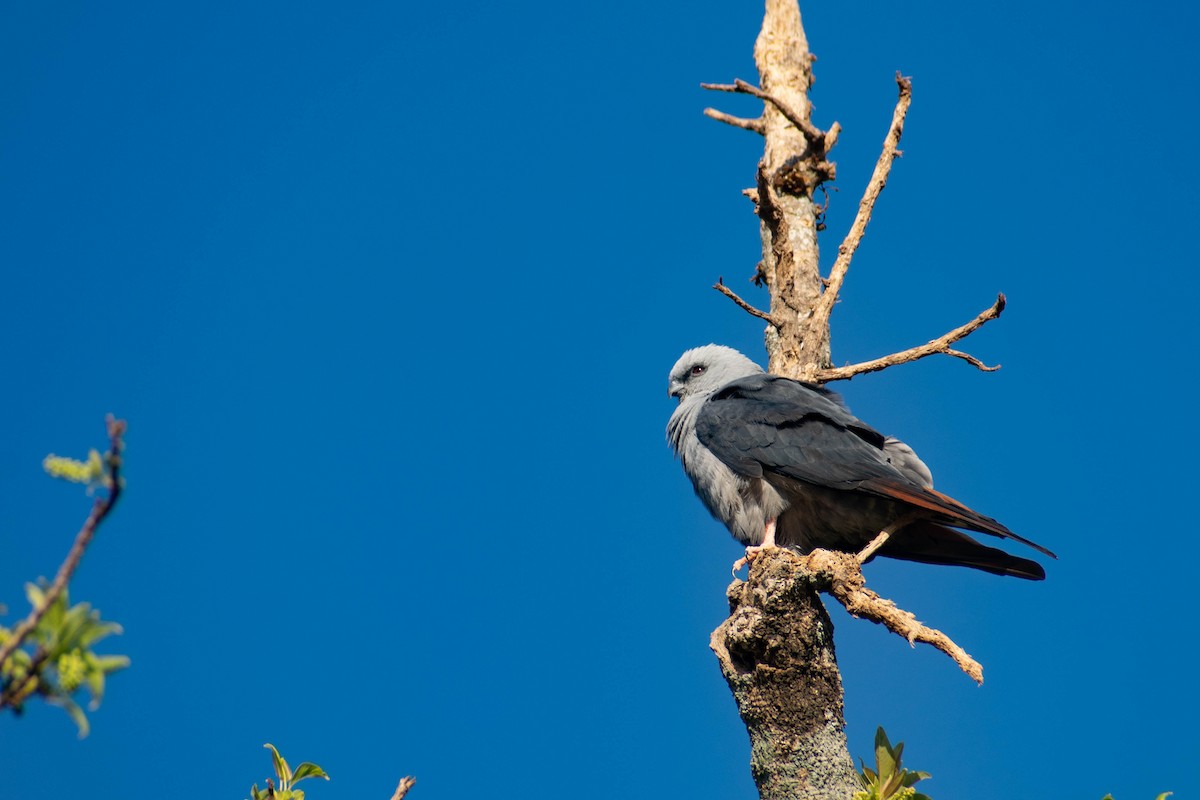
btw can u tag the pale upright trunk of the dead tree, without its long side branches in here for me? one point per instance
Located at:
(777, 648)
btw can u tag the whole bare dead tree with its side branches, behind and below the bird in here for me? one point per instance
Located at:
(777, 647)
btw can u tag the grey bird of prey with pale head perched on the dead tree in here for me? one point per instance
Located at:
(784, 464)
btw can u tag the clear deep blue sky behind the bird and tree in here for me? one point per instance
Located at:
(388, 294)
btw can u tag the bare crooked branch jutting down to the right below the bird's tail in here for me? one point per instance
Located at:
(844, 580)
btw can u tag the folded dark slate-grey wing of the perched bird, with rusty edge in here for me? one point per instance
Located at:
(766, 425)
